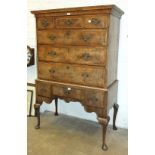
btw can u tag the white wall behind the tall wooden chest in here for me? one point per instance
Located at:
(75, 109)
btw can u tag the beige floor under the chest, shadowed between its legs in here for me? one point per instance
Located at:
(64, 135)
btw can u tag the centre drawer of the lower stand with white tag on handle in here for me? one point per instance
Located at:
(68, 92)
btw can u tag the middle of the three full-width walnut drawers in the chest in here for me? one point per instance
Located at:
(78, 55)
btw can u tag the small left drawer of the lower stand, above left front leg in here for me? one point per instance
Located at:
(44, 89)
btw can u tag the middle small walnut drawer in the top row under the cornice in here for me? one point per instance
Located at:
(70, 22)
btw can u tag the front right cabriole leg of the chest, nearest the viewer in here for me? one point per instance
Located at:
(104, 122)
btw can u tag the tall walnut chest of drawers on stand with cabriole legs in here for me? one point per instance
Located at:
(77, 52)
